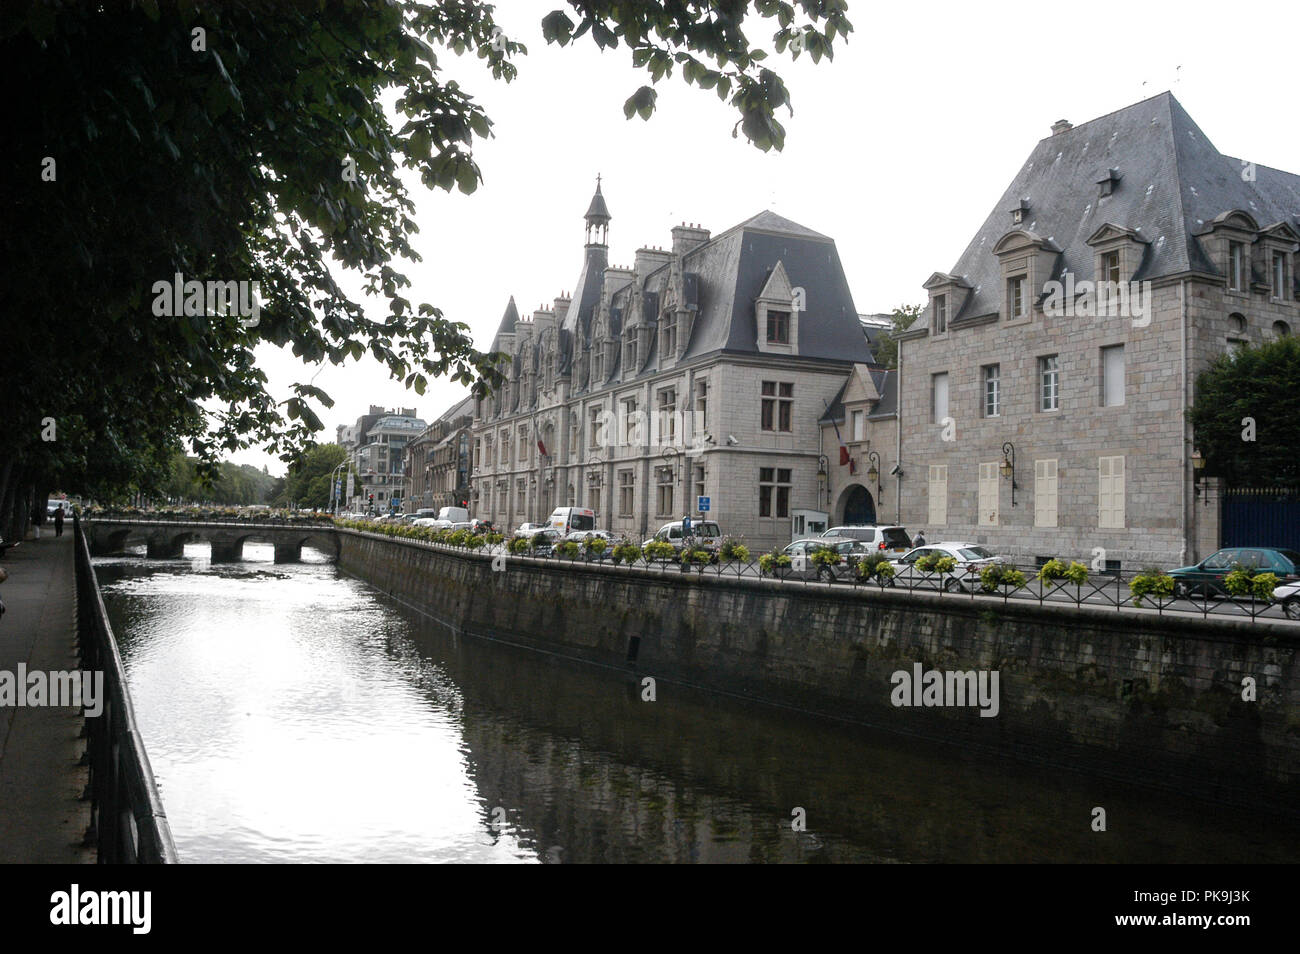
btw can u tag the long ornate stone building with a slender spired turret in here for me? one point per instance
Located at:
(699, 372)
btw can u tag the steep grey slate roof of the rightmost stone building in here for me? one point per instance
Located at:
(1173, 184)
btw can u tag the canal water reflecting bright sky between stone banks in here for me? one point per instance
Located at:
(294, 714)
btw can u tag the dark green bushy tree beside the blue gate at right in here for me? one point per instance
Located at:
(1247, 415)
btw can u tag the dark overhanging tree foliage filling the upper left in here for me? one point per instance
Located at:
(248, 142)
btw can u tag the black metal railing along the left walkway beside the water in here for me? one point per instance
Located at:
(128, 823)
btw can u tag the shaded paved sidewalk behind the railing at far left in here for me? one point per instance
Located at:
(42, 817)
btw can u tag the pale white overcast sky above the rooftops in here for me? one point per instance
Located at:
(898, 150)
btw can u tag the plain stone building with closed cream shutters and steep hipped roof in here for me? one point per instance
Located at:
(1043, 393)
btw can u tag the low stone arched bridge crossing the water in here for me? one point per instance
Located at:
(167, 539)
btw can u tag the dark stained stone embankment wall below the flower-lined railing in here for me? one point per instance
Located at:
(1130, 696)
